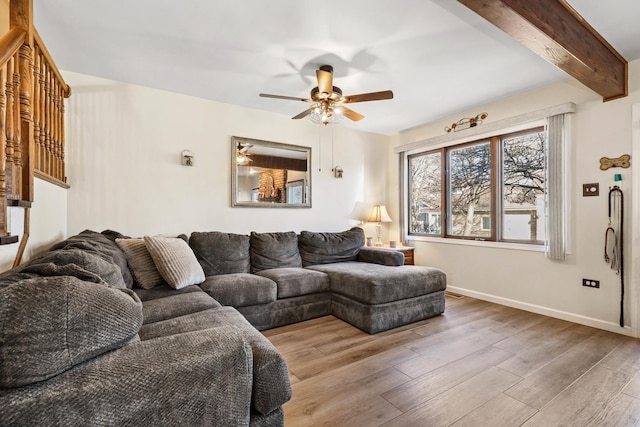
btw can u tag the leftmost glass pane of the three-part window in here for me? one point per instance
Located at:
(425, 193)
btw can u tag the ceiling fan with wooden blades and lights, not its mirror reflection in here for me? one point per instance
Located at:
(328, 100)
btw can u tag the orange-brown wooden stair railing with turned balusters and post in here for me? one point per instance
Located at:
(32, 93)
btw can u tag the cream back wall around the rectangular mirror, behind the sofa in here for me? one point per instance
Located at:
(124, 144)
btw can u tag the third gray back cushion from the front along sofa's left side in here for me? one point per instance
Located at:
(101, 245)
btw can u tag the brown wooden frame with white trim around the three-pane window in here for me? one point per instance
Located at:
(497, 213)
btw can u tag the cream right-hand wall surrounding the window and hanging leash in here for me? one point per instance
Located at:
(528, 279)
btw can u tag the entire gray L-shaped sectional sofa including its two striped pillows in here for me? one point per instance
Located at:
(91, 334)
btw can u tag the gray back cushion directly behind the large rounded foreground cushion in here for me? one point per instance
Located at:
(84, 265)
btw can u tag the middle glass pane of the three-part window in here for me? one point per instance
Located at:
(470, 190)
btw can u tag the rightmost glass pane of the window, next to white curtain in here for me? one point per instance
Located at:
(523, 187)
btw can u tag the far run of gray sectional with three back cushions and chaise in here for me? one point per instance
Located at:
(275, 279)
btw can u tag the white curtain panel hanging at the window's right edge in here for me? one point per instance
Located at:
(555, 246)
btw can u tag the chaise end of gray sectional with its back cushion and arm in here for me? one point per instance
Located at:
(370, 288)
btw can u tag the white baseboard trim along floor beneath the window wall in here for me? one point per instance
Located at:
(546, 311)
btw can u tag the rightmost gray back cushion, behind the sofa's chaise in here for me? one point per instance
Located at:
(325, 248)
